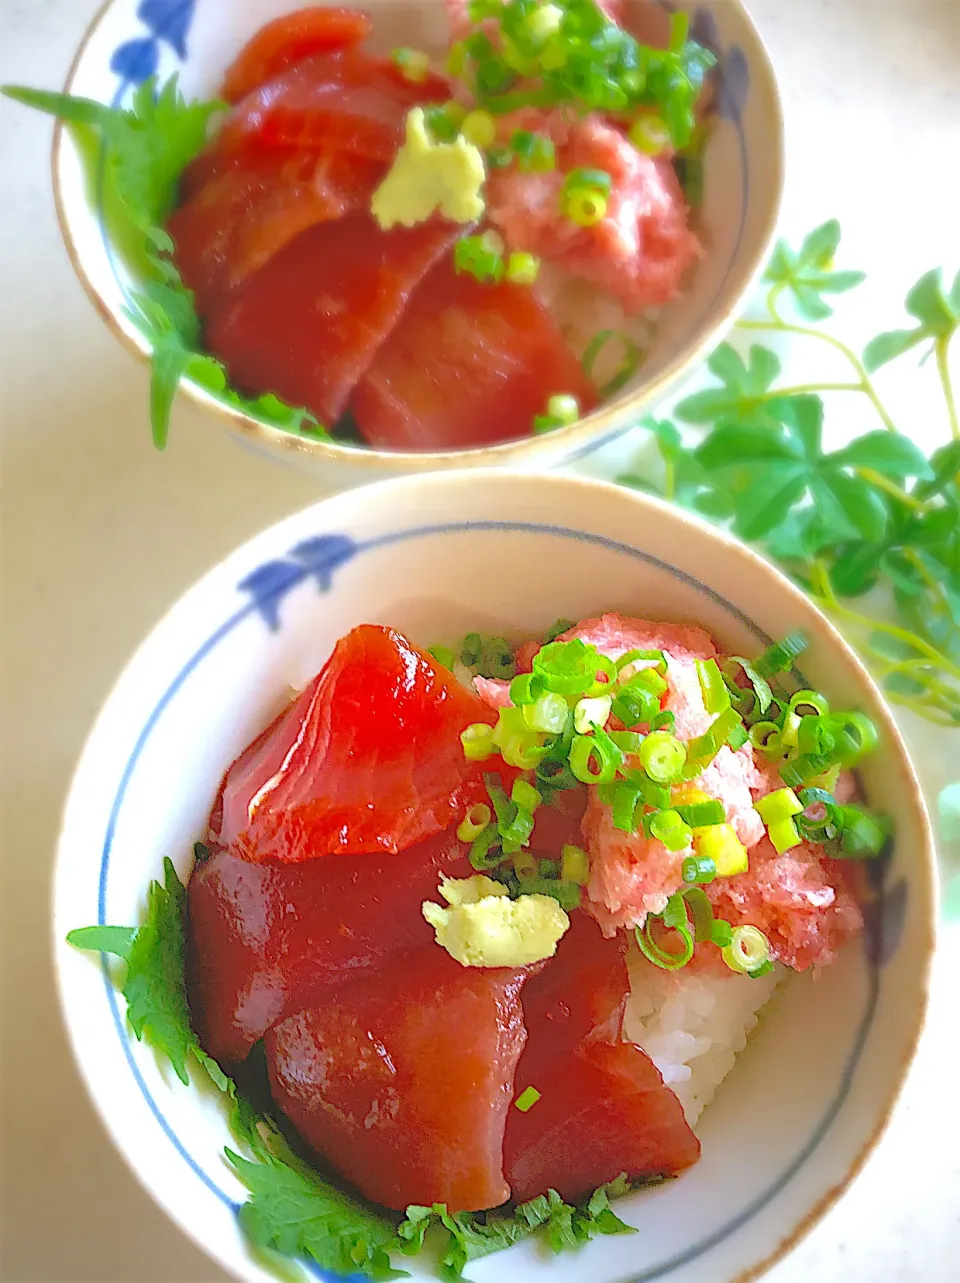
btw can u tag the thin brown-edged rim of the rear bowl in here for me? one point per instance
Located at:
(596, 430)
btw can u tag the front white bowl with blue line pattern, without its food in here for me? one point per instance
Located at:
(501, 554)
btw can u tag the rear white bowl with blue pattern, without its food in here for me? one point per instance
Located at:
(133, 40)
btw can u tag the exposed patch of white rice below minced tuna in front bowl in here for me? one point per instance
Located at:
(694, 1026)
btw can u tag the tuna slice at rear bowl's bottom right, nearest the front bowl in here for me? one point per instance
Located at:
(469, 365)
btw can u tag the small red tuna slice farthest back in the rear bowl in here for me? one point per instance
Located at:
(289, 40)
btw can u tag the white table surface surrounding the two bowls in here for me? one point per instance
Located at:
(101, 536)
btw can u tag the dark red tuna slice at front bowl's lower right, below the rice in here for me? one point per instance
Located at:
(604, 1112)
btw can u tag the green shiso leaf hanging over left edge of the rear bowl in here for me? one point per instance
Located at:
(146, 149)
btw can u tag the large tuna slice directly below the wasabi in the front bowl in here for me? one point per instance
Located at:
(404, 1083)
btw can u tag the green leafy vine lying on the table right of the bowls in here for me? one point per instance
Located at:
(877, 516)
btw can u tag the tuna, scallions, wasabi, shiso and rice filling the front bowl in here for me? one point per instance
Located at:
(478, 932)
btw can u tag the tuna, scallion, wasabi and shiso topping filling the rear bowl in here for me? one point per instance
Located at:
(424, 250)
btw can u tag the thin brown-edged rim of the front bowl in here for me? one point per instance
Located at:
(925, 856)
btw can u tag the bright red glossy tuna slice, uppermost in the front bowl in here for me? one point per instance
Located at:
(368, 759)
